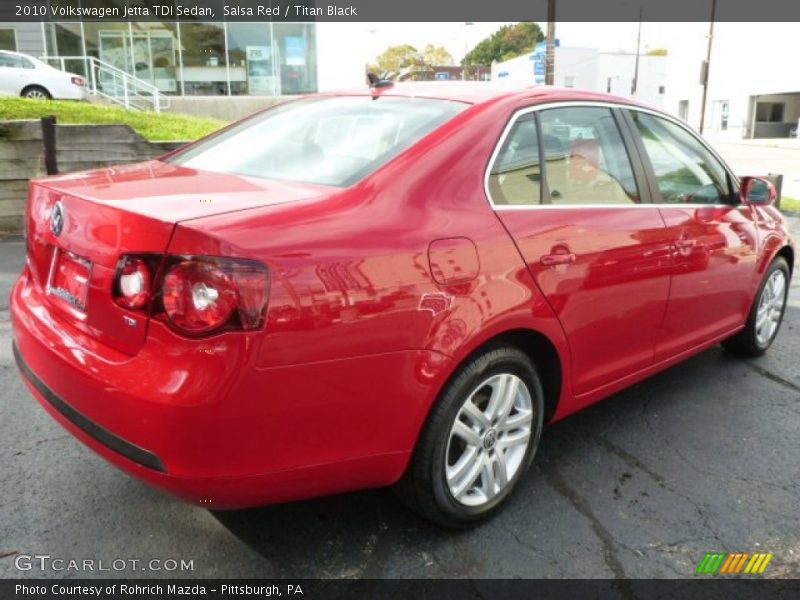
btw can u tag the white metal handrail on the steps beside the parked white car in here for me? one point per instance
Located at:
(114, 84)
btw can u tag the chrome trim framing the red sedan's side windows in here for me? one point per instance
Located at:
(595, 103)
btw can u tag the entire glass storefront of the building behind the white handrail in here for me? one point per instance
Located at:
(194, 59)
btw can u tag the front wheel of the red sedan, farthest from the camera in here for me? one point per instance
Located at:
(766, 314)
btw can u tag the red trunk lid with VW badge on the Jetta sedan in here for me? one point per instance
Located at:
(79, 225)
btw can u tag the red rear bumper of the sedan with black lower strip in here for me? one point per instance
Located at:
(196, 418)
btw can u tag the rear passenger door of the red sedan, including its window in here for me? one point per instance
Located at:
(564, 184)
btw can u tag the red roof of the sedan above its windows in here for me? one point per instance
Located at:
(473, 92)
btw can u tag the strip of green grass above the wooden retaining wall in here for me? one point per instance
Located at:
(153, 126)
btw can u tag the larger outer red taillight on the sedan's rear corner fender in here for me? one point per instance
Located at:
(201, 295)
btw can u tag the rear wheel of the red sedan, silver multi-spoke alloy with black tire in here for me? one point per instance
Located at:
(478, 440)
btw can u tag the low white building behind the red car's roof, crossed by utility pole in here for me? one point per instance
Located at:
(591, 69)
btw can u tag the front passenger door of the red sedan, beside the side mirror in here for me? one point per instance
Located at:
(714, 237)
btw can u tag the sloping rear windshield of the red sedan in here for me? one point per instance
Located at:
(331, 141)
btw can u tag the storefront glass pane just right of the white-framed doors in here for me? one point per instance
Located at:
(205, 69)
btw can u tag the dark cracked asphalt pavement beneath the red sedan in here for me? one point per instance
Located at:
(700, 458)
